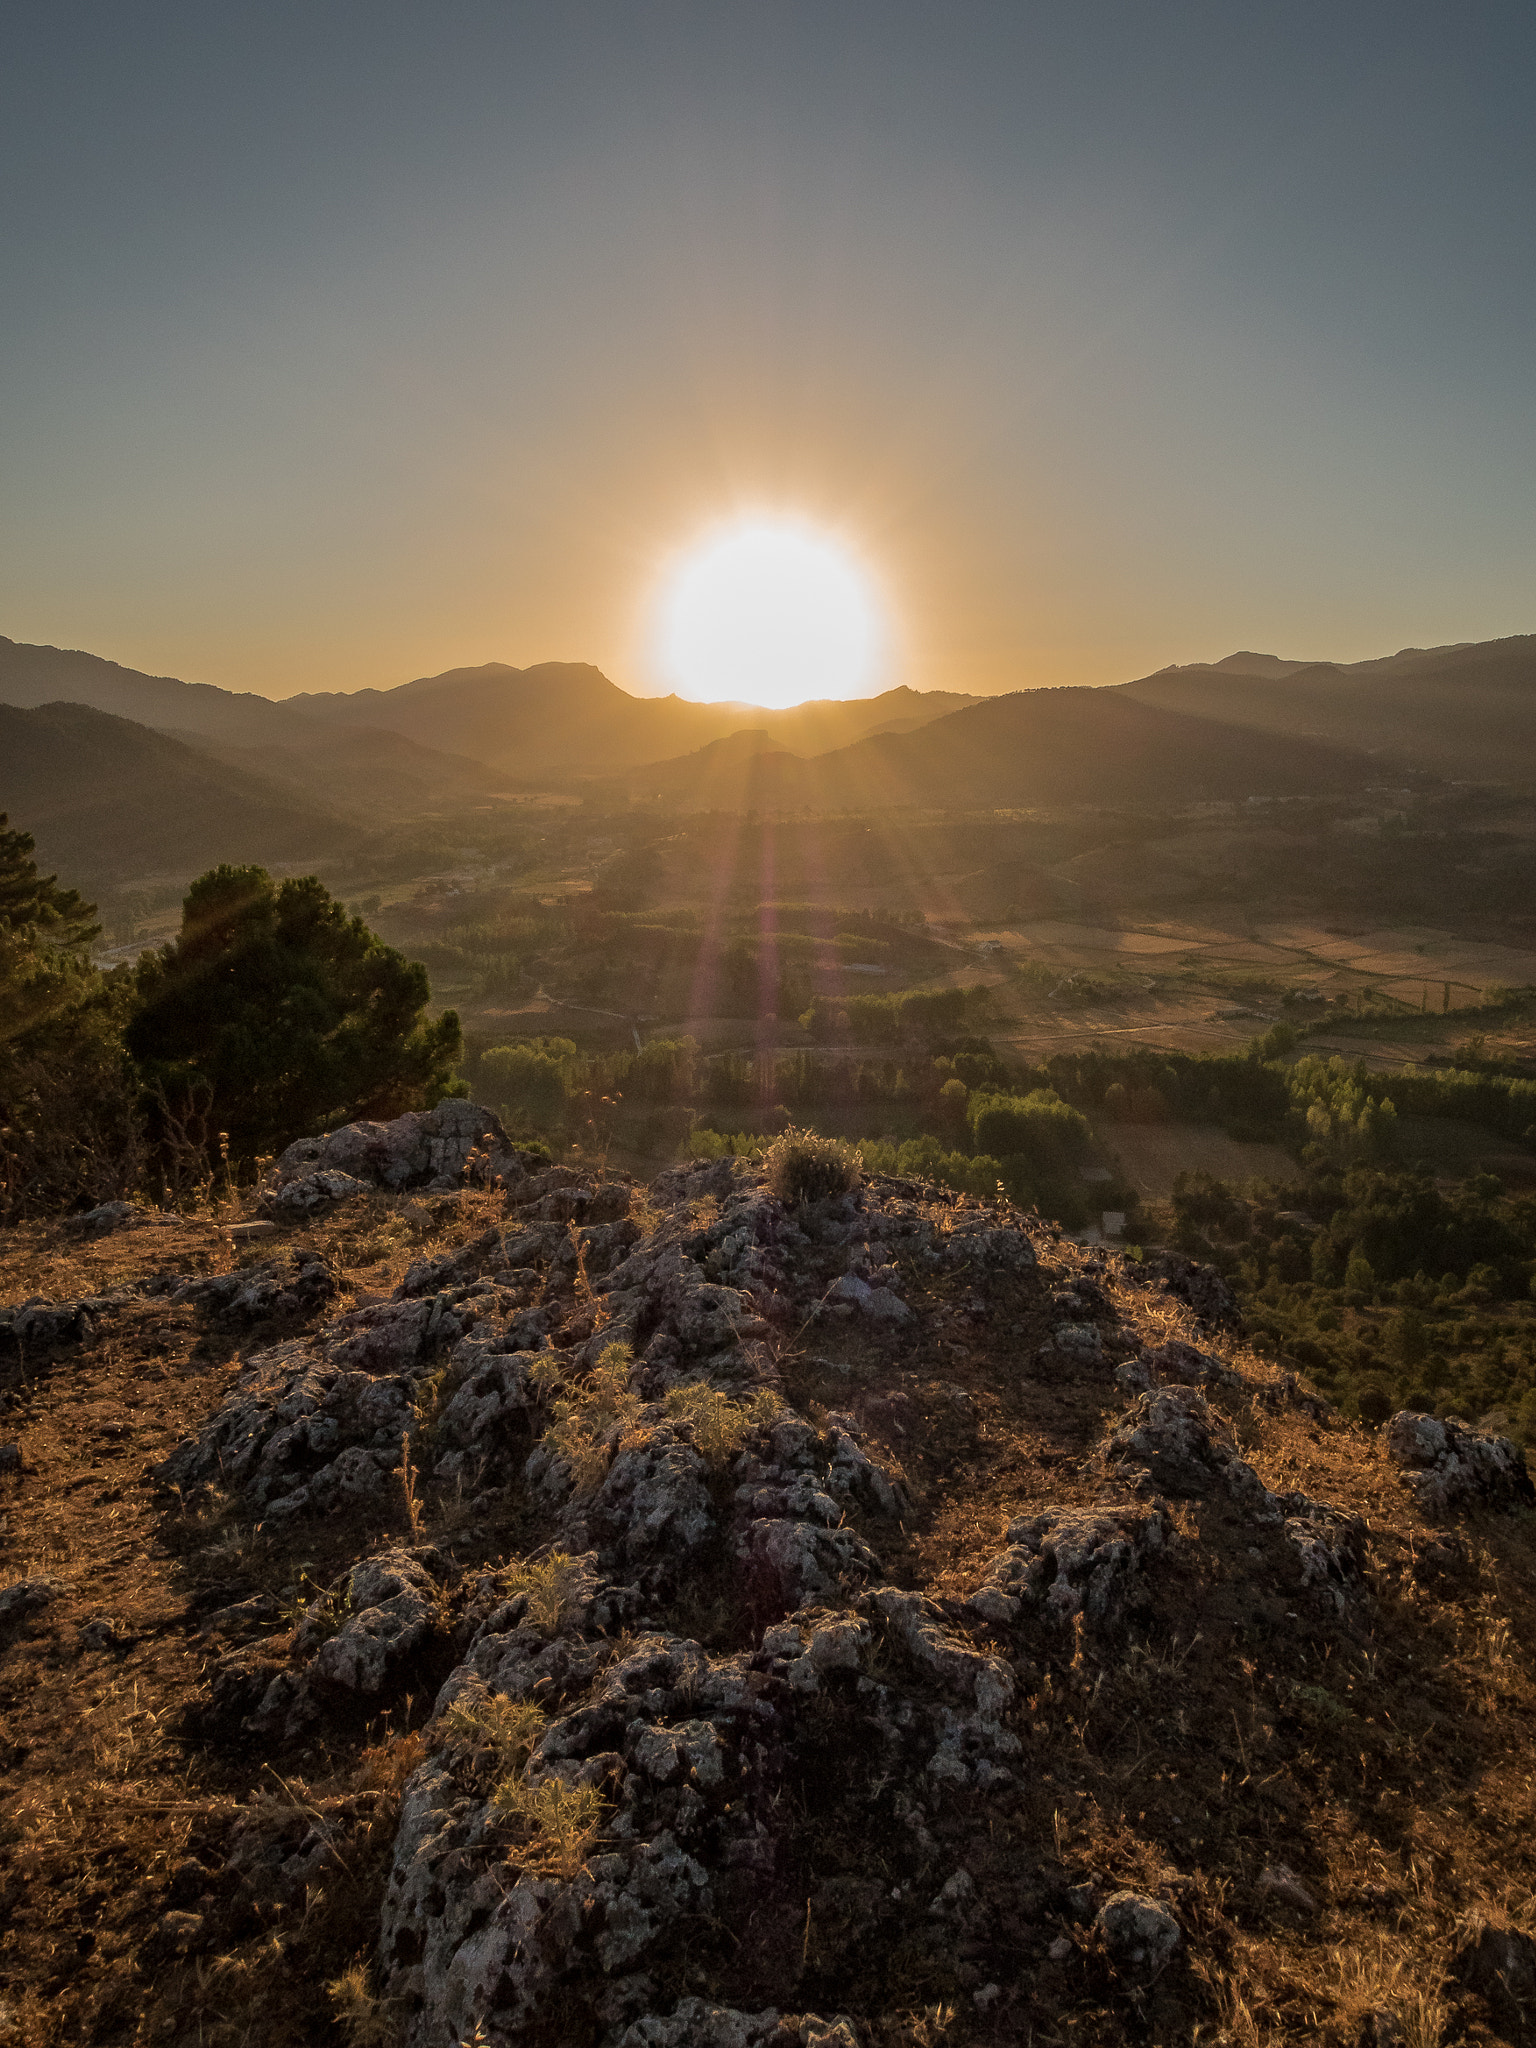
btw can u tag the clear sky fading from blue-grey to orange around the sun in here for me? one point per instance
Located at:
(353, 343)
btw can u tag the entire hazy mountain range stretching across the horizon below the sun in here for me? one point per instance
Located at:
(128, 775)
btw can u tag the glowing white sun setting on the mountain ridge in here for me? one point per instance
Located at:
(771, 611)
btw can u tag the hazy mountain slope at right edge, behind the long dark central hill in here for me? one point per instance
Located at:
(1457, 712)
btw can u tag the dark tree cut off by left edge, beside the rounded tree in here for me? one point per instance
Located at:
(69, 1123)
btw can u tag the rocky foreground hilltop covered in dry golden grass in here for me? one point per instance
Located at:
(1021, 1658)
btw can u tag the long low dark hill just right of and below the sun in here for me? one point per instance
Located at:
(1037, 751)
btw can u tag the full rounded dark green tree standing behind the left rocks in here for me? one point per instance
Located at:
(286, 1017)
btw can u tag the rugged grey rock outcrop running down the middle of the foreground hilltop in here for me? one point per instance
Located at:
(605, 1781)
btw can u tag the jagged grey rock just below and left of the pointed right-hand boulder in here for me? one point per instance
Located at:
(1070, 1562)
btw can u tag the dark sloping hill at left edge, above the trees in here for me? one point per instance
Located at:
(112, 802)
